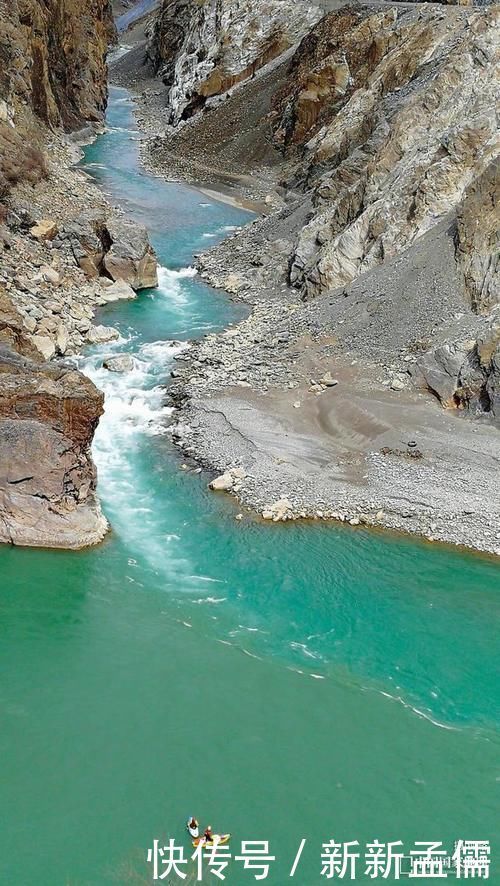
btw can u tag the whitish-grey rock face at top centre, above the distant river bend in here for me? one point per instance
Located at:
(204, 47)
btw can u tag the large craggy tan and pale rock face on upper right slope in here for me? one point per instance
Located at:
(393, 114)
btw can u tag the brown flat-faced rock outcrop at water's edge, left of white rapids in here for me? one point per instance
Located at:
(48, 415)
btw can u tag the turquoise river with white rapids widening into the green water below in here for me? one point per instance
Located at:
(282, 682)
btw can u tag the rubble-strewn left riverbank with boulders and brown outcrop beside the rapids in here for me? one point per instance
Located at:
(65, 253)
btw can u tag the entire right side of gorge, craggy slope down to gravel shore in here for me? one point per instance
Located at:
(325, 402)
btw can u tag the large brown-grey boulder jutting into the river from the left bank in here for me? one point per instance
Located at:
(130, 257)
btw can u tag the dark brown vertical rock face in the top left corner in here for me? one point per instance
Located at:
(53, 57)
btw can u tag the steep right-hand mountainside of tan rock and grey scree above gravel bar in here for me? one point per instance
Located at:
(378, 136)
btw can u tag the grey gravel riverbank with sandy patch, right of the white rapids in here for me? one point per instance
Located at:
(253, 397)
